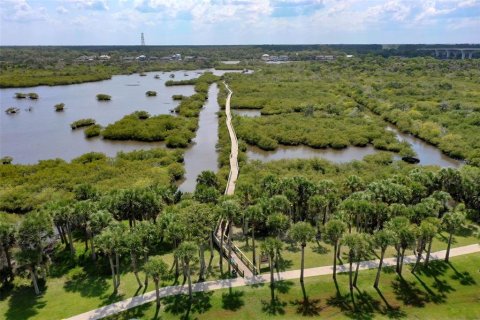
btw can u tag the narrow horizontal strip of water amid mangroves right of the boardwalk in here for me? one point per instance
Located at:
(304, 152)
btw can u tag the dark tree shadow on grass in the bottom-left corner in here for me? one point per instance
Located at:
(24, 303)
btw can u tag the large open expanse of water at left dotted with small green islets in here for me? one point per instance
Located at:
(44, 134)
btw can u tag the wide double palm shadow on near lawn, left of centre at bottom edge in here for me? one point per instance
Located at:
(180, 305)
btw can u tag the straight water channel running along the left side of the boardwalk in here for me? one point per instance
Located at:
(202, 155)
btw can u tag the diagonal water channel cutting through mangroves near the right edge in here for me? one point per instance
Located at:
(426, 153)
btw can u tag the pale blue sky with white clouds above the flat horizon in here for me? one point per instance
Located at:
(210, 22)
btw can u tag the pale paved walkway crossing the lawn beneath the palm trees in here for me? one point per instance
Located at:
(265, 278)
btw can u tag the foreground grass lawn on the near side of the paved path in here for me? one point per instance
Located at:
(443, 291)
